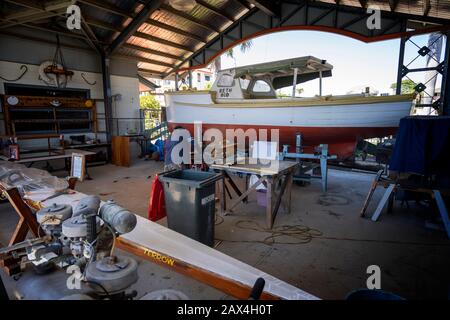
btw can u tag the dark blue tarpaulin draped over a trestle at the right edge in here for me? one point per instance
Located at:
(422, 146)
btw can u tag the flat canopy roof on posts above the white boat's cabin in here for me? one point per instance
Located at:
(281, 72)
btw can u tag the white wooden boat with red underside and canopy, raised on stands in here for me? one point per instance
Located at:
(245, 97)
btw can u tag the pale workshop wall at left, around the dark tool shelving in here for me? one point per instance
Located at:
(84, 63)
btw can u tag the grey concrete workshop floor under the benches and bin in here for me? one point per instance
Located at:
(339, 245)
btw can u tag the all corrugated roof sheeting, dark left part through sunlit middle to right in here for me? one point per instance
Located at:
(168, 36)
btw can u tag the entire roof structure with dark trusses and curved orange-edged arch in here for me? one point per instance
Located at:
(204, 39)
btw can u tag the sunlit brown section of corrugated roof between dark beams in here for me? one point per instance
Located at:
(182, 33)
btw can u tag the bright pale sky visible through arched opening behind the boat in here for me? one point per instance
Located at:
(356, 64)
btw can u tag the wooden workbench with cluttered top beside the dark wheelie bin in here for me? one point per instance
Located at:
(276, 177)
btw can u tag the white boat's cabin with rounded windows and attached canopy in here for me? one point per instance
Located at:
(260, 81)
